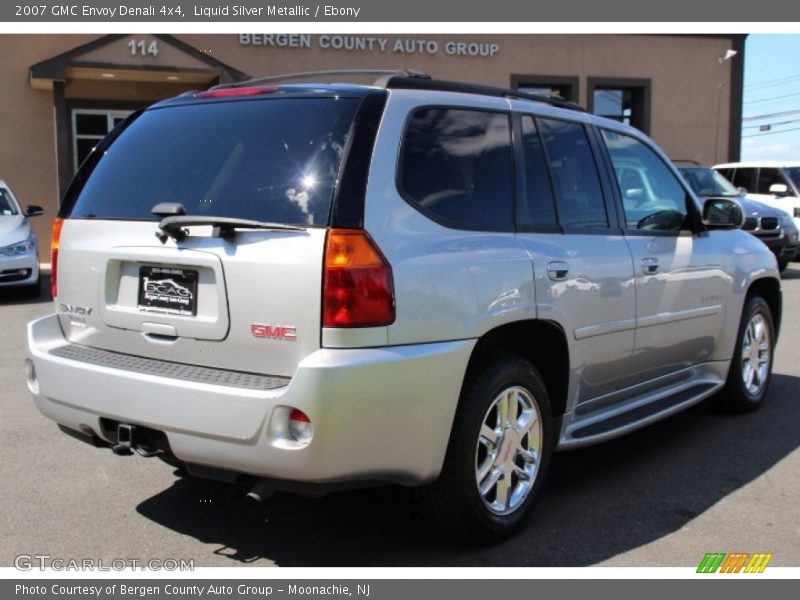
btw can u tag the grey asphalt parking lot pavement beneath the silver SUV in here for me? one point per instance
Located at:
(664, 496)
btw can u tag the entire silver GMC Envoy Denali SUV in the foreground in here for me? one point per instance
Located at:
(307, 287)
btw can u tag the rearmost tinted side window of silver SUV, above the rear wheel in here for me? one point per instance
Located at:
(457, 166)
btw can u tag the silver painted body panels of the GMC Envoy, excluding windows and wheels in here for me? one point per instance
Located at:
(642, 342)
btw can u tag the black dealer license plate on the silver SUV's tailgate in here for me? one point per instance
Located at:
(168, 290)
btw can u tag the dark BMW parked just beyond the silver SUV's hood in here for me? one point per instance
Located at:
(771, 225)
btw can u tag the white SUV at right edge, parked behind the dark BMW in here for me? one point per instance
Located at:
(773, 183)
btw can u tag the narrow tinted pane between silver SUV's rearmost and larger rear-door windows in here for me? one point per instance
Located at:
(537, 208)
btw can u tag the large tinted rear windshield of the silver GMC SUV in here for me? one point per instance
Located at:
(273, 160)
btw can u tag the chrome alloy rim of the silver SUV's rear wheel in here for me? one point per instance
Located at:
(509, 450)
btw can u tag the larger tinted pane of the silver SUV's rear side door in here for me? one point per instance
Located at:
(575, 179)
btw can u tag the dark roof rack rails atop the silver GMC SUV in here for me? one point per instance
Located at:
(411, 79)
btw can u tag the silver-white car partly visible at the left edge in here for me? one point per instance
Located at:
(19, 248)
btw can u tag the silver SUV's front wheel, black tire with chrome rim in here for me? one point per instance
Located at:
(751, 368)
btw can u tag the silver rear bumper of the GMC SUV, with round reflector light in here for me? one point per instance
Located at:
(378, 414)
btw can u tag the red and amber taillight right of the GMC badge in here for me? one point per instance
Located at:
(357, 283)
